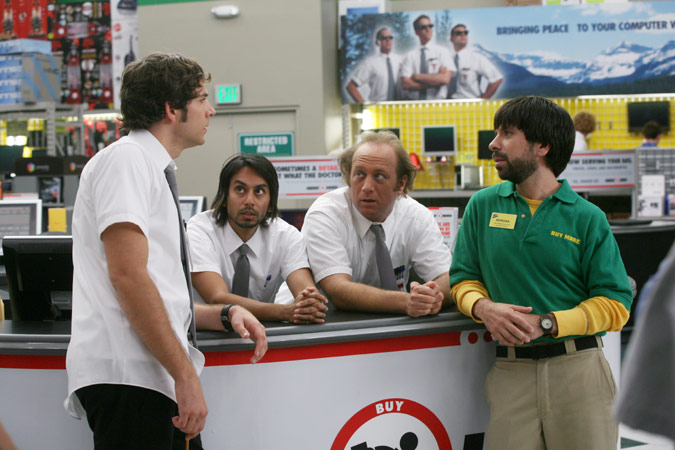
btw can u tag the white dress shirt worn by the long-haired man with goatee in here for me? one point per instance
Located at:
(275, 251)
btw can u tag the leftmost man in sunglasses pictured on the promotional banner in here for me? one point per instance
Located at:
(378, 74)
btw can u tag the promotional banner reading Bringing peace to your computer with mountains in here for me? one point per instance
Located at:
(554, 51)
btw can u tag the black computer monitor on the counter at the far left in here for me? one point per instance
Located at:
(39, 276)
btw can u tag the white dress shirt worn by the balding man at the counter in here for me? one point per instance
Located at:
(339, 240)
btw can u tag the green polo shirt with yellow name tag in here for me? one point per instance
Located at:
(552, 261)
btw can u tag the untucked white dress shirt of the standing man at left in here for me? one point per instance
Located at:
(125, 182)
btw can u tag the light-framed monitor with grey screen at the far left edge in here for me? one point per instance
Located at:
(20, 217)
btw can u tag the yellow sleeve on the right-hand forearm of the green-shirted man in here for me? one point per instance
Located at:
(592, 316)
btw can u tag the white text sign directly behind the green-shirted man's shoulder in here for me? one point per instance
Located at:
(601, 170)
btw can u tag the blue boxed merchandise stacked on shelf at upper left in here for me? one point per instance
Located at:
(29, 78)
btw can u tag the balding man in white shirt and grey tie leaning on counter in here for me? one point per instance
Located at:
(340, 232)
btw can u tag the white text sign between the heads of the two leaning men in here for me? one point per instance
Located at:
(307, 176)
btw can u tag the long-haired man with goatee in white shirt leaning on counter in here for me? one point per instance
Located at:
(244, 221)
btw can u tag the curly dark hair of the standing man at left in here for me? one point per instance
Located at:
(148, 83)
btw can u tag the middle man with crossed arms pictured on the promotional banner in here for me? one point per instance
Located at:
(427, 69)
